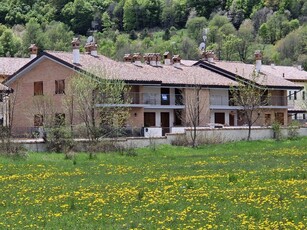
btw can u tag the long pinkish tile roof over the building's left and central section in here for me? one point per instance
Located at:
(146, 73)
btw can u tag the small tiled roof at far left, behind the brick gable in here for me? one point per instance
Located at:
(9, 66)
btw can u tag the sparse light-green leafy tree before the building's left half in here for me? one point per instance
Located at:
(98, 101)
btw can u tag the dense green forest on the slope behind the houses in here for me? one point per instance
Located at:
(234, 28)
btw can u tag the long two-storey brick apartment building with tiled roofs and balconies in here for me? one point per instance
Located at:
(162, 88)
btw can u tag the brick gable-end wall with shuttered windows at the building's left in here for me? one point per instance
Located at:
(46, 71)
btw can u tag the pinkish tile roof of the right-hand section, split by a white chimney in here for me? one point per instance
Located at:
(269, 76)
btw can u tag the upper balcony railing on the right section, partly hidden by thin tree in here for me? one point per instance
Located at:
(271, 101)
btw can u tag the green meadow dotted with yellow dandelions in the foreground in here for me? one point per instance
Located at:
(244, 185)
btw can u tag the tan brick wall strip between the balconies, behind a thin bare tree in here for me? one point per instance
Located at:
(189, 98)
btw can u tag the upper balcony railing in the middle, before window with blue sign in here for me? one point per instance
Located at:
(154, 99)
